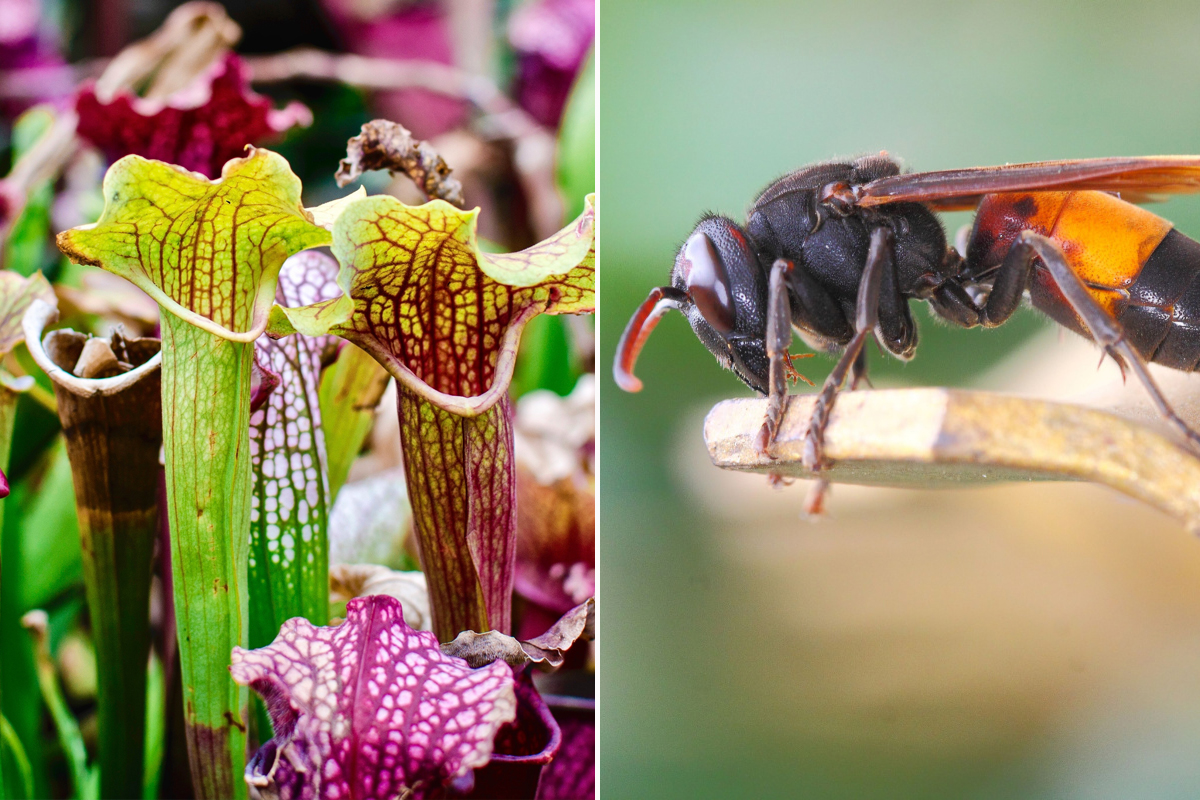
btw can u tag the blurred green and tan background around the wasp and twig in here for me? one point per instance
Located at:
(1035, 641)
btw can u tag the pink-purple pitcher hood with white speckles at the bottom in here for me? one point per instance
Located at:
(370, 708)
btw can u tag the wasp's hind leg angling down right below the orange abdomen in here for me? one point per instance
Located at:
(1106, 330)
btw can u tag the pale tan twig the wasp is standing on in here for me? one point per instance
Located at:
(940, 437)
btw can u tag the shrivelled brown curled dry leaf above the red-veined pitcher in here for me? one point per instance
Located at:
(389, 146)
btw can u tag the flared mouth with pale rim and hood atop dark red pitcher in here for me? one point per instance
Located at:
(555, 276)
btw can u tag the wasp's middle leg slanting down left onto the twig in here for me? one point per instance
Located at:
(880, 258)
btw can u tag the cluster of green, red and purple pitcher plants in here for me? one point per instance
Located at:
(206, 459)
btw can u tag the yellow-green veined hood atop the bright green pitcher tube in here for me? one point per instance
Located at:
(209, 246)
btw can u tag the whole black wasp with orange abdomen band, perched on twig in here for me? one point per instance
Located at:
(836, 252)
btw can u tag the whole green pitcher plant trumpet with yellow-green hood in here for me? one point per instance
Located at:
(209, 252)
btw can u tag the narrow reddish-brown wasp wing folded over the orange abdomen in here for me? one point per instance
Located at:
(1143, 179)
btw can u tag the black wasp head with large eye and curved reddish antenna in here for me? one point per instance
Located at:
(719, 286)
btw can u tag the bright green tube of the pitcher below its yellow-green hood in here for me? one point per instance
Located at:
(206, 400)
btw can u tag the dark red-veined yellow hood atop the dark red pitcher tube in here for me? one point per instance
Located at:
(422, 298)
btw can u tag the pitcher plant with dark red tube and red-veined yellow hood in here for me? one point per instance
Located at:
(423, 299)
